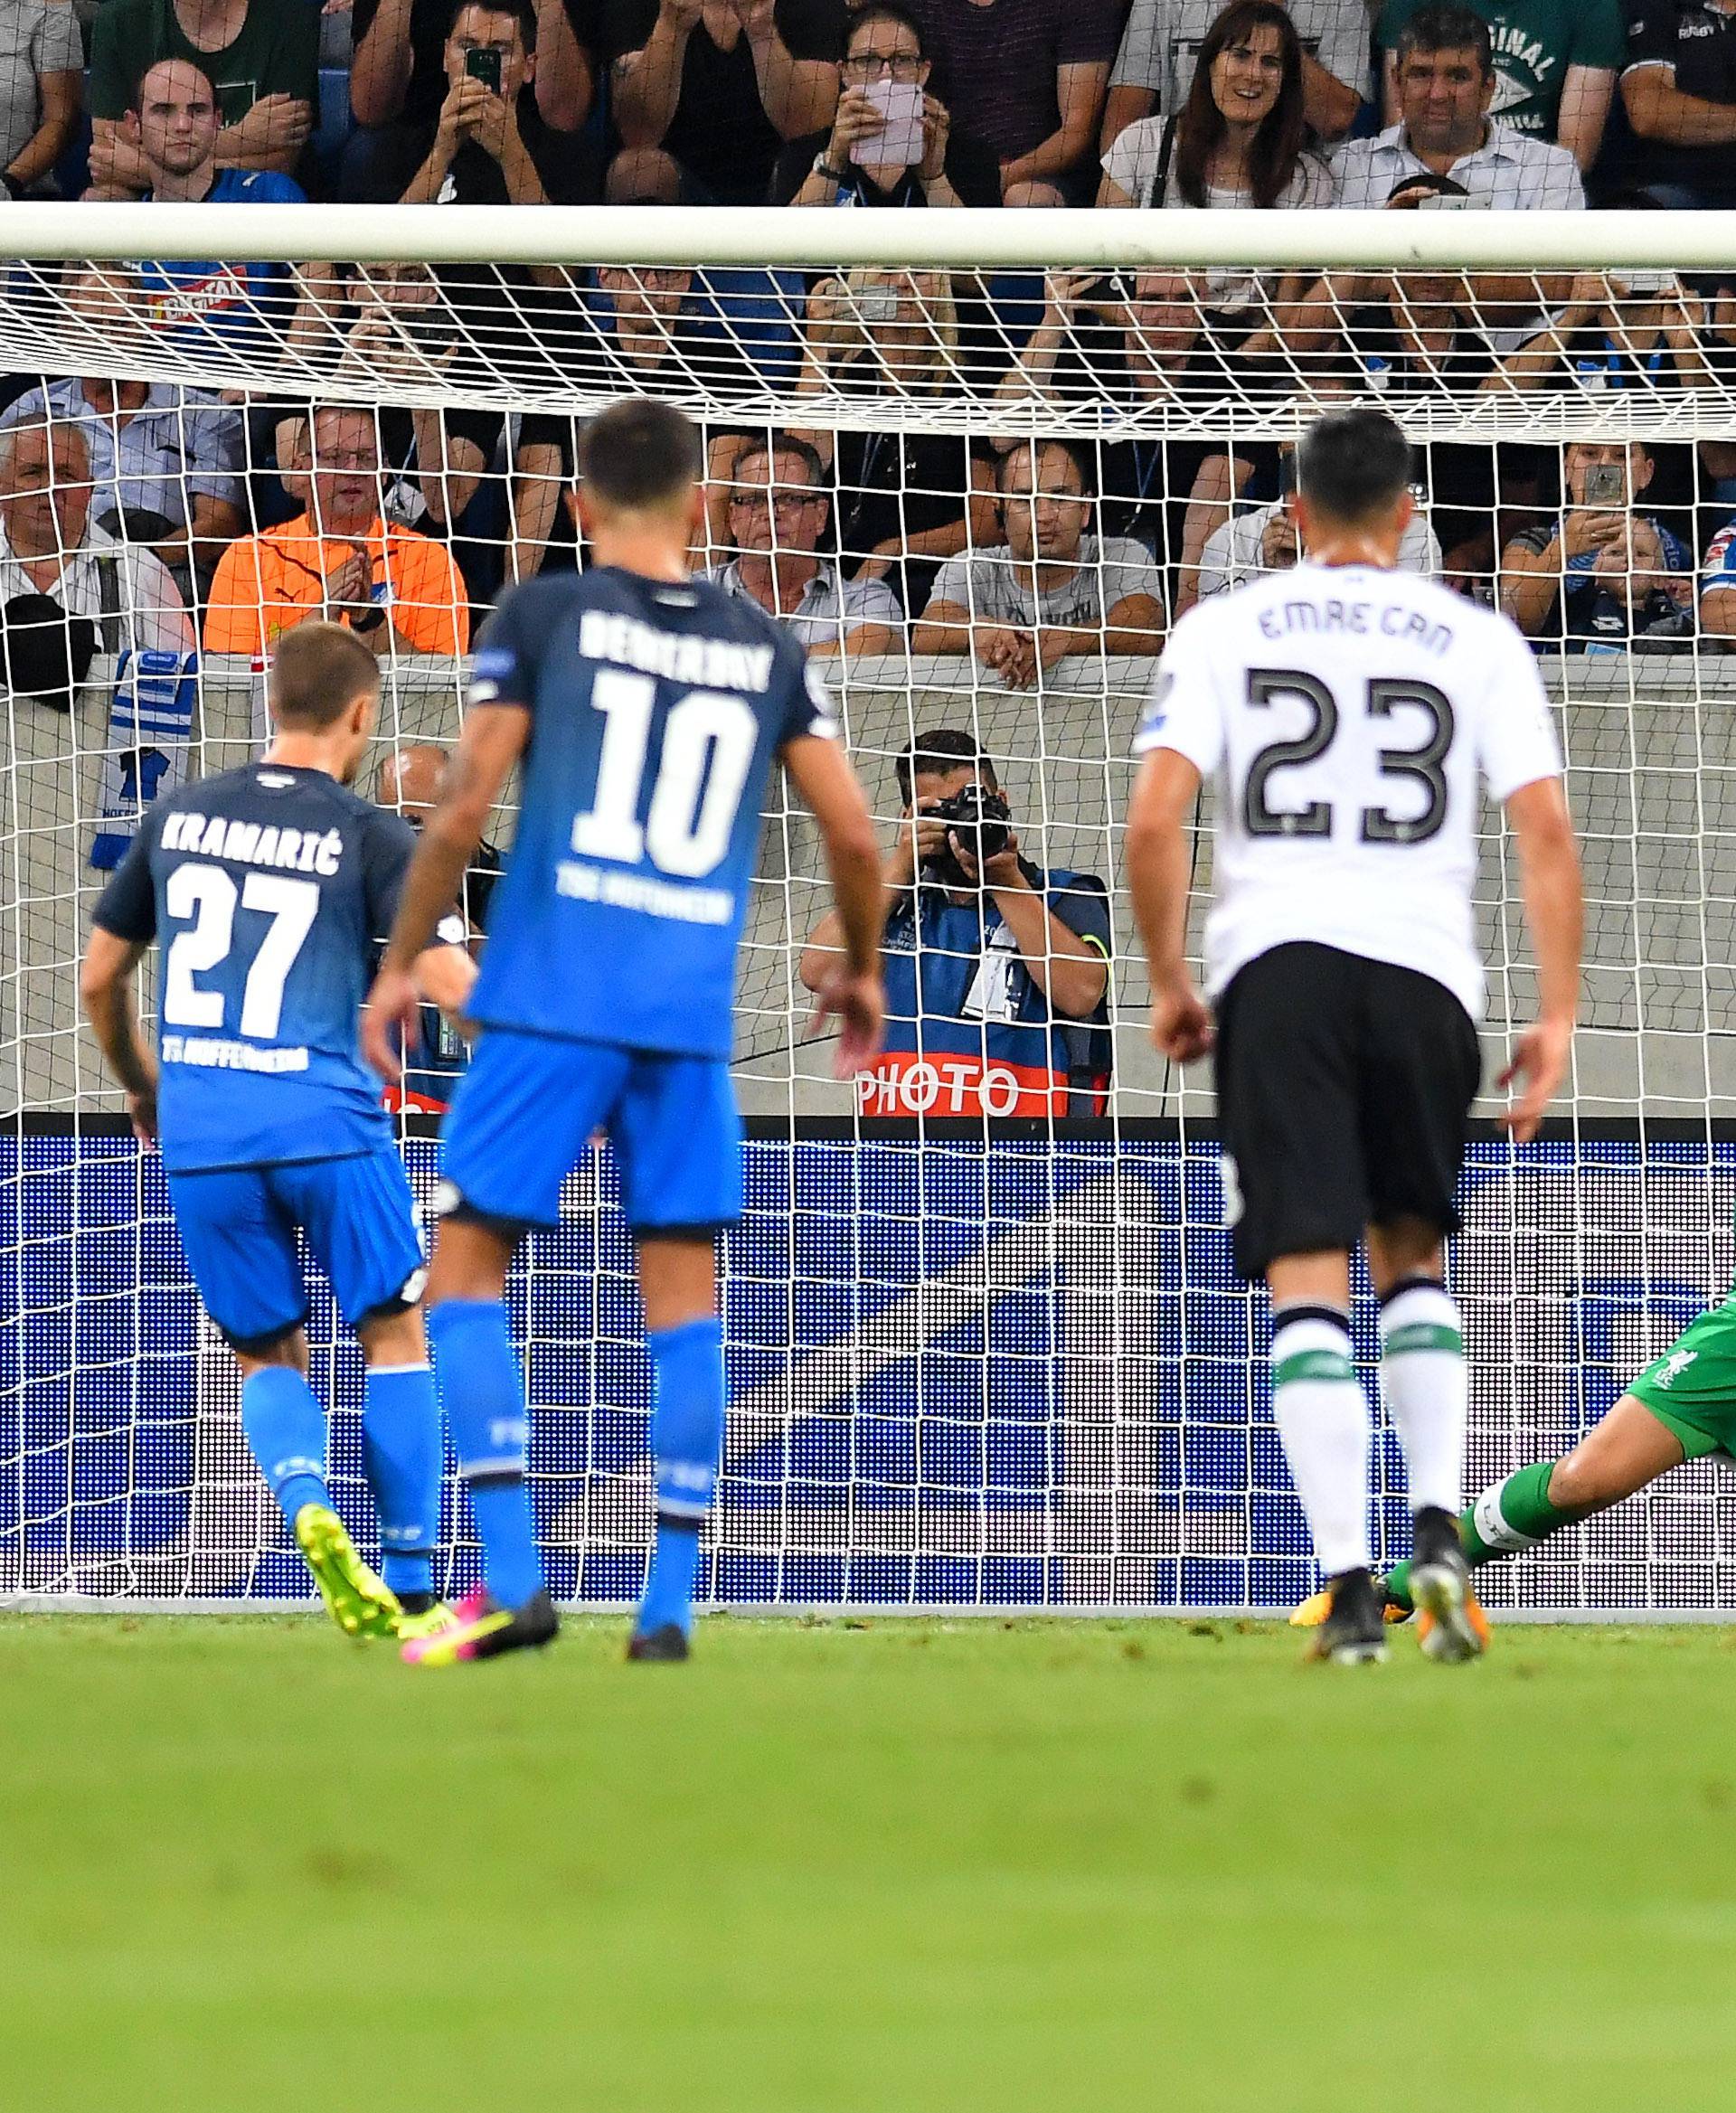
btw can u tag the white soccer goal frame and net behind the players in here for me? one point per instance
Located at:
(975, 1362)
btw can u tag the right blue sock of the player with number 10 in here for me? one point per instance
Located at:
(685, 1440)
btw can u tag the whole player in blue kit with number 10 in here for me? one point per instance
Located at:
(647, 711)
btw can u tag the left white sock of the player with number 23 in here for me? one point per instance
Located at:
(1323, 1419)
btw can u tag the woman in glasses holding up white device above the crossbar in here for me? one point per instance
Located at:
(892, 141)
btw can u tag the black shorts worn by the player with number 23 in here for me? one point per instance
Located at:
(1344, 1098)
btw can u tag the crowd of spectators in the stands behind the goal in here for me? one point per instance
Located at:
(240, 512)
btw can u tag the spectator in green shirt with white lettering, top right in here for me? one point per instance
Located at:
(1555, 64)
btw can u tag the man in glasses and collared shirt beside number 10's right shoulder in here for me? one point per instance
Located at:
(778, 515)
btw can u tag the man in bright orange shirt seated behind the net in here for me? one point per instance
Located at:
(398, 591)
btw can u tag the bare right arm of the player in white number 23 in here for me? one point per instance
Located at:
(1555, 914)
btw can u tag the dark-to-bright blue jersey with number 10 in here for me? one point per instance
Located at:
(656, 717)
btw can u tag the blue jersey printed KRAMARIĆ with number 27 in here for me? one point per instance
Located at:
(269, 889)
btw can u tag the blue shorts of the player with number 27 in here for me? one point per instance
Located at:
(240, 1237)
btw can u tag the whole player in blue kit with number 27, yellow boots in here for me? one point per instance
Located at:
(269, 889)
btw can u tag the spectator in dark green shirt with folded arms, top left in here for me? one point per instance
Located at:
(261, 56)
